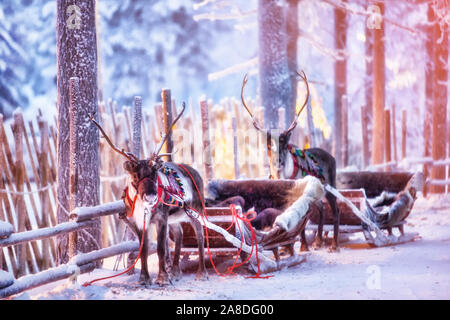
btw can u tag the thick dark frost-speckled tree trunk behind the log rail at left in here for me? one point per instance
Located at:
(77, 57)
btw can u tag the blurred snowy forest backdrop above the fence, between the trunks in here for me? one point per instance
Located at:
(205, 47)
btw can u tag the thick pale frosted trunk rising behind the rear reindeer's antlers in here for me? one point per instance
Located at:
(275, 85)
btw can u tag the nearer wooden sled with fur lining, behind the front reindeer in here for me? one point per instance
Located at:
(286, 229)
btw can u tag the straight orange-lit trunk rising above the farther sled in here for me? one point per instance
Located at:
(378, 90)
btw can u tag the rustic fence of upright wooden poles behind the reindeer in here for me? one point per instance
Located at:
(217, 139)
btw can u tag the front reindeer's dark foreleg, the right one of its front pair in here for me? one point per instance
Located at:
(161, 247)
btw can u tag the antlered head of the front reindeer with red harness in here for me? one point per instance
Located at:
(143, 173)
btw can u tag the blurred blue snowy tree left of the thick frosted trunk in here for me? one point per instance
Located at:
(27, 53)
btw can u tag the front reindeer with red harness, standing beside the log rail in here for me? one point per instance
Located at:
(161, 193)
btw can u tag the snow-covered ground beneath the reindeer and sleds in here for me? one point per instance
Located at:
(415, 270)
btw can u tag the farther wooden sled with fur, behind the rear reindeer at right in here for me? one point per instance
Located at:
(357, 188)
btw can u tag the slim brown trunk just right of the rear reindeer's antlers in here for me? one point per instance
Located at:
(340, 80)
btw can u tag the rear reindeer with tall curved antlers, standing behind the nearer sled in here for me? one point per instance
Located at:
(287, 161)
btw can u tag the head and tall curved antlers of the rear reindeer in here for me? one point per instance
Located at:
(277, 143)
